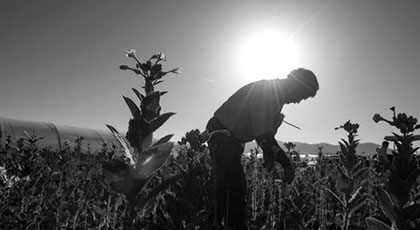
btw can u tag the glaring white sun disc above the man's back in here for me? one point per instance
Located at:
(268, 55)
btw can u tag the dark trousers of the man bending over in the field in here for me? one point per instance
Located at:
(226, 151)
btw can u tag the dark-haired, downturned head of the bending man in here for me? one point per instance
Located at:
(300, 85)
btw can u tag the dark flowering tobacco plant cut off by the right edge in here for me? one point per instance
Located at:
(398, 204)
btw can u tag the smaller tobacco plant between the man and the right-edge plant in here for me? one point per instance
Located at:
(350, 181)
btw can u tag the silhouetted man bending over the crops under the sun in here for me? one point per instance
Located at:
(252, 113)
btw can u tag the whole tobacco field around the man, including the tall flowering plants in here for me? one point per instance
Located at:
(149, 188)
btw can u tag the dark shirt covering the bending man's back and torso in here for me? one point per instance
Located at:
(254, 110)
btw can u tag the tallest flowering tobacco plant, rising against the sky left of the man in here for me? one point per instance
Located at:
(129, 173)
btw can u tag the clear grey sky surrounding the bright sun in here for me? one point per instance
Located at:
(59, 60)
